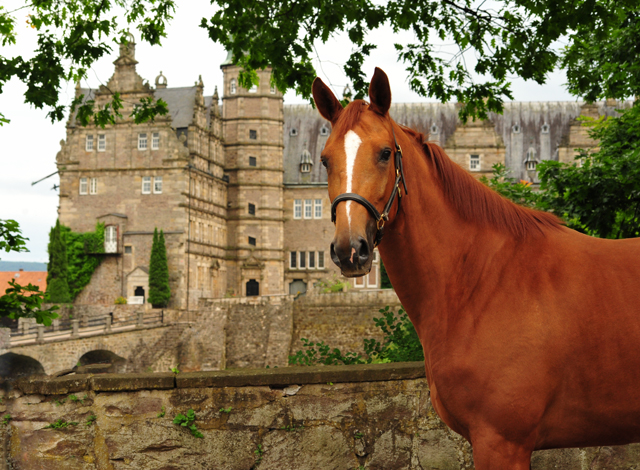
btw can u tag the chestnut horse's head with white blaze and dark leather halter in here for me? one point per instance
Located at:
(363, 163)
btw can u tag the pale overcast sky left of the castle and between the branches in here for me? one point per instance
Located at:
(29, 144)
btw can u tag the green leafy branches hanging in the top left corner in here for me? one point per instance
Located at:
(72, 36)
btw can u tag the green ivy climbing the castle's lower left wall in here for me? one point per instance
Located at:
(81, 259)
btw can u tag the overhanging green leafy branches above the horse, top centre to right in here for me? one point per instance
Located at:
(507, 38)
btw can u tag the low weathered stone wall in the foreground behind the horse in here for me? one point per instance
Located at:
(304, 418)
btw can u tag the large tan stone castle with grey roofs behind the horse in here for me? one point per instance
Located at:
(237, 186)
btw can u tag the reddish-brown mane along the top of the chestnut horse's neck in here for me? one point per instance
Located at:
(475, 202)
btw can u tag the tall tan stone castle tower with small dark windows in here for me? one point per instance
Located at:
(252, 128)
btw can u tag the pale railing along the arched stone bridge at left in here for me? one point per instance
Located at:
(91, 326)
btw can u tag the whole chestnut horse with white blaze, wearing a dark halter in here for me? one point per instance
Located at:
(530, 330)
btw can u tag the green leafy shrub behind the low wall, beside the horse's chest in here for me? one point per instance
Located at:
(400, 343)
